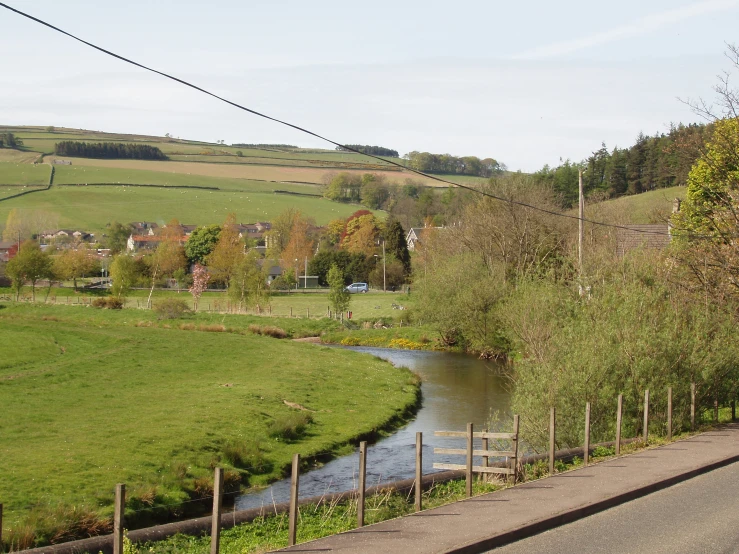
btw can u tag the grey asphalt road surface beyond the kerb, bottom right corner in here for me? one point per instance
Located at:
(700, 515)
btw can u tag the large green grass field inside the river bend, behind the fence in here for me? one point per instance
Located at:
(96, 397)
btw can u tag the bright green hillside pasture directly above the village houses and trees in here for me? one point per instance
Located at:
(91, 207)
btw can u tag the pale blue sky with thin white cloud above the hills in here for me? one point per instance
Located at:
(527, 83)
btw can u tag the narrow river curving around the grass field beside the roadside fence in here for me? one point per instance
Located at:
(456, 389)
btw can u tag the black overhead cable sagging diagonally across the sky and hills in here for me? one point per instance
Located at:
(326, 139)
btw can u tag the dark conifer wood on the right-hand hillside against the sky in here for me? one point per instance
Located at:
(660, 161)
